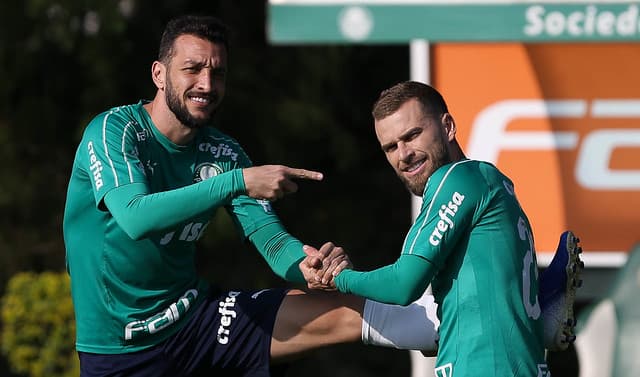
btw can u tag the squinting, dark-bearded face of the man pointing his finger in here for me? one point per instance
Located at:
(195, 79)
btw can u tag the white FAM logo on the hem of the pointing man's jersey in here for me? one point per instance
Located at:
(161, 320)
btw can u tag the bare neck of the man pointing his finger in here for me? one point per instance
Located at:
(166, 122)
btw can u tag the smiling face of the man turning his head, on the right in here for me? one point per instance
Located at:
(415, 144)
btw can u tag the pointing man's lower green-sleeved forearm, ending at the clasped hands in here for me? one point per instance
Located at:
(281, 250)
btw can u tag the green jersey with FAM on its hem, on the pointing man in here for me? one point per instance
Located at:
(129, 293)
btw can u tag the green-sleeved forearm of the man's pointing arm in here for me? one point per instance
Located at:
(139, 213)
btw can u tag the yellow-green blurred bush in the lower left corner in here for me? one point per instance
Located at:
(38, 329)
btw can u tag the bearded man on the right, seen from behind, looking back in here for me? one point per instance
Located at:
(471, 240)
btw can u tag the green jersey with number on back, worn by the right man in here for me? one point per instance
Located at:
(472, 228)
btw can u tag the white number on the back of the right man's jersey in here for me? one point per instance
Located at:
(529, 272)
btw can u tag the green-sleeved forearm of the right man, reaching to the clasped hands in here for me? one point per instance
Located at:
(400, 283)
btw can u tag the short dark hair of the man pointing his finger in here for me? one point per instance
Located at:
(206, 27)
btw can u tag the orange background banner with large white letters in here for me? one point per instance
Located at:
(563, 121)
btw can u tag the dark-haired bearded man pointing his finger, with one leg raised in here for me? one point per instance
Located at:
(146, 180)
